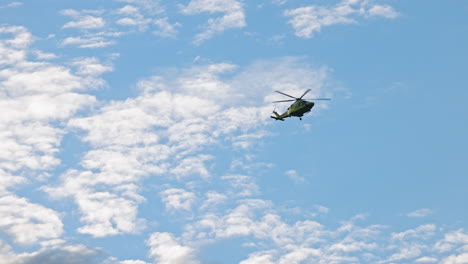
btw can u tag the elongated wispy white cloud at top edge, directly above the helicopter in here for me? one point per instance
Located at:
(308, 20)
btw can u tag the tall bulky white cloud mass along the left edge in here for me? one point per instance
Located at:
(34, 97)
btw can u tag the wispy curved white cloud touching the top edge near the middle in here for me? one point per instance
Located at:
(233, 17)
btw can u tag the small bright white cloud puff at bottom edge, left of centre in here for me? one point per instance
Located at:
(167, 250)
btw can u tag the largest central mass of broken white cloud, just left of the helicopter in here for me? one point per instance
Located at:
(164, 132)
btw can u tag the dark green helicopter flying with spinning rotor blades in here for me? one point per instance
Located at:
(298, 108)
